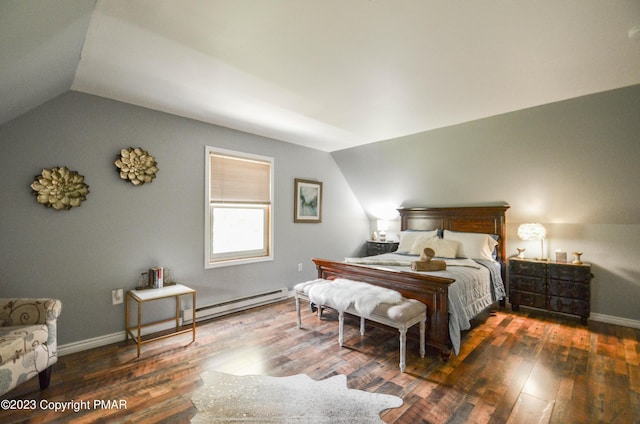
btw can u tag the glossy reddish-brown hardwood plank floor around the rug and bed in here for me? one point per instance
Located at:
(514, 367)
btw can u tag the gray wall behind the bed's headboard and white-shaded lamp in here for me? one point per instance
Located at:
(572, 166)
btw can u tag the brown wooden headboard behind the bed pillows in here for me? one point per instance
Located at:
(473, 219)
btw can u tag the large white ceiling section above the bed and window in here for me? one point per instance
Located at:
(332, 74)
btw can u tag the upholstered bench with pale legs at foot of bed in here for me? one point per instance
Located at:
(401, 315)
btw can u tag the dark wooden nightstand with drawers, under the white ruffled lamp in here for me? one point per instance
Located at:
(554, 286)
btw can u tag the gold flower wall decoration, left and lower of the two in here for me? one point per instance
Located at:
(59, 188)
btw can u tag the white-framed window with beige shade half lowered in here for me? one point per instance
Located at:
(238, 216)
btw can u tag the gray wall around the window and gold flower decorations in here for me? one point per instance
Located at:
(81, 255)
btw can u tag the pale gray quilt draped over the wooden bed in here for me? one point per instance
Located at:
(478, 285)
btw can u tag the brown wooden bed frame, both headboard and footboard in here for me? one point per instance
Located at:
(431, 290)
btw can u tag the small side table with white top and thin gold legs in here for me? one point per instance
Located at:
(146, 295)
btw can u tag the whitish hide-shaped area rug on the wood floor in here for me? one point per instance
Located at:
(226, 398)
